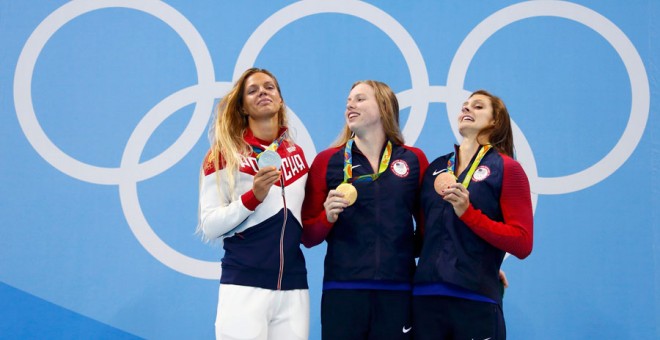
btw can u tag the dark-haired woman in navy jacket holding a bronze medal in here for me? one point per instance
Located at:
(476, 204)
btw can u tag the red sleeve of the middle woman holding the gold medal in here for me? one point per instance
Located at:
(315, 223)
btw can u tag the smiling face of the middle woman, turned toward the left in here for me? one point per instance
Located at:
(362, 112)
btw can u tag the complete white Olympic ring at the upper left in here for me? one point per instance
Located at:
(62, 161)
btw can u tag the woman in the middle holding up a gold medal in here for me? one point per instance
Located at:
(361, 197)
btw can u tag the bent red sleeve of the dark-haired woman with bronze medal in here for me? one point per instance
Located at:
(515, 234)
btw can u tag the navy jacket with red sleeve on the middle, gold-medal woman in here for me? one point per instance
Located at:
(373, 239)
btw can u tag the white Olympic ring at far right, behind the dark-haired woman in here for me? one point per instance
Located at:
(641, 97)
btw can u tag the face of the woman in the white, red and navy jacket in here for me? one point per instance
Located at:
(261, 98)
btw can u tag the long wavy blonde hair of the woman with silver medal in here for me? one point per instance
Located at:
(232, 123)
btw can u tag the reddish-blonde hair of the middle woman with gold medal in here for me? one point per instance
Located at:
(388, 105)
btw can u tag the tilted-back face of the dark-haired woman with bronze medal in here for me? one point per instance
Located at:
(476, 116)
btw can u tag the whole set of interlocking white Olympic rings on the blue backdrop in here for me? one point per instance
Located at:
(418, 97)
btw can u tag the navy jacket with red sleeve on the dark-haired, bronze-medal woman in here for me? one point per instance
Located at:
(468, 251)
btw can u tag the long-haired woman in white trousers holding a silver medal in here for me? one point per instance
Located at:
(251, 191)
